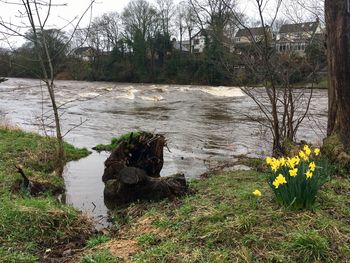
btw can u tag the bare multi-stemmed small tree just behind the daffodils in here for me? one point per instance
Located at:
(283, 108)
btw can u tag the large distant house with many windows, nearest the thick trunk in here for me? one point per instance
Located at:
(296, 37)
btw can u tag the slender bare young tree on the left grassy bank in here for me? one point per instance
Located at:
(37, 13)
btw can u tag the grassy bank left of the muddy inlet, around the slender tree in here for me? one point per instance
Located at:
(35, 228)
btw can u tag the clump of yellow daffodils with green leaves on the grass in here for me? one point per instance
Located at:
(296, 180)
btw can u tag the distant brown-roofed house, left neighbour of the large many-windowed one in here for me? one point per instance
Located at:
(245, 36)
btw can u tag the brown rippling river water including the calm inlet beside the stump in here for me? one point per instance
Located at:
(204, 126)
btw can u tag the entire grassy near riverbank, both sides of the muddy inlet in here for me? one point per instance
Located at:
(221, 222)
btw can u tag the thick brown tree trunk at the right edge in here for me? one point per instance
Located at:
(337, 13)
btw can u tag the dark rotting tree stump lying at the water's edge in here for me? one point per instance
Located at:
(132, 172)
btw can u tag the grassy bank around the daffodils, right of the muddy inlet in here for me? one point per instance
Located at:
(224, 222)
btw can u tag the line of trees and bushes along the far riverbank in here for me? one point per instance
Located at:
(138, 46)
